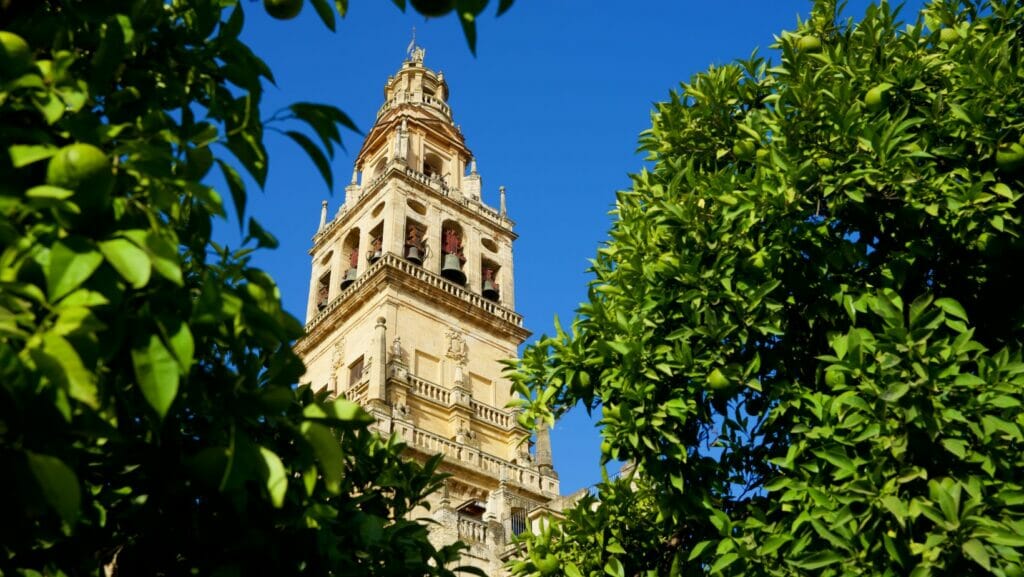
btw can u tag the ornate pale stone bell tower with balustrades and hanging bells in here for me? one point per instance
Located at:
(412, 310)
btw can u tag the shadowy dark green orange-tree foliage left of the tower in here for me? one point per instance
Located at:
(149, 422)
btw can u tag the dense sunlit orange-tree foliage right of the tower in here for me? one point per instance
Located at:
(806, 329)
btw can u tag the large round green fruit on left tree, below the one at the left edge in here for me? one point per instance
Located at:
(83, 170)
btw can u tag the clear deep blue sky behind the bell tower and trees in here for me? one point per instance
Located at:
(551, 106)
